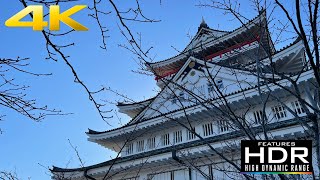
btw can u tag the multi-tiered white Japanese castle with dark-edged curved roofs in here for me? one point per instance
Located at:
(192, 128)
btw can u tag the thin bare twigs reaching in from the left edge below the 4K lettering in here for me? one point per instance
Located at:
(13, 95)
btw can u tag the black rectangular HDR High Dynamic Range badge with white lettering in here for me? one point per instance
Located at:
(276, 157)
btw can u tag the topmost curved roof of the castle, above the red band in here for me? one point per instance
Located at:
(208, 41)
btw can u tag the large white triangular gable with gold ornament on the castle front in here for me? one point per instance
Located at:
(197, 81)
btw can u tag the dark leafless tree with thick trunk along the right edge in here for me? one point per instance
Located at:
(301, 22)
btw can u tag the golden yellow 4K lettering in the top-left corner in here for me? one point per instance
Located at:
(54, 18)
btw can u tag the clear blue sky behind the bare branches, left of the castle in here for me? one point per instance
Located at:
(26, 144)
